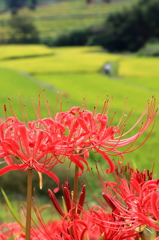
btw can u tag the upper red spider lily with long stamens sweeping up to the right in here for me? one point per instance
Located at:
(88, 131)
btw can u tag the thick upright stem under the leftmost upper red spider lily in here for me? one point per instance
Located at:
(29, 201)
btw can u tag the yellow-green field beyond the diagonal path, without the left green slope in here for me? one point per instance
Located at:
(78, 72)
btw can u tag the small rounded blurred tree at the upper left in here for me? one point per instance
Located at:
(22, 30)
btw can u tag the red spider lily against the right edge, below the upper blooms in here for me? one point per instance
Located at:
(135, 199)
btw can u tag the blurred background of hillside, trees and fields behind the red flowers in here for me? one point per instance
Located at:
(82, 49)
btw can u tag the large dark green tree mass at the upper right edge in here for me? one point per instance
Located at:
(130, 29)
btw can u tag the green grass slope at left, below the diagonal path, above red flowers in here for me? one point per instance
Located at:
(16, 85)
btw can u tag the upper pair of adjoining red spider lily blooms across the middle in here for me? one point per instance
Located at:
(43, 143)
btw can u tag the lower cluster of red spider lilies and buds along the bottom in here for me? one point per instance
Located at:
(129, 207)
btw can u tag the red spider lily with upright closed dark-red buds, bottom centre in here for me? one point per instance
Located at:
(83, 225)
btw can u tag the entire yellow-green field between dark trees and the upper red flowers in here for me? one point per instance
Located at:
(78, 72)
